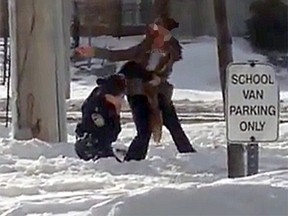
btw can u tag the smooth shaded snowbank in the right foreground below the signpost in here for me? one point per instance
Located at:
(226, 197)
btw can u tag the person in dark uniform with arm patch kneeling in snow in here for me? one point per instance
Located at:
(100, 125)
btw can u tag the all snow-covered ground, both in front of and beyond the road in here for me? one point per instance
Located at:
(47, 179)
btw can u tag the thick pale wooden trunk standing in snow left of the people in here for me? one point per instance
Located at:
(38, 62)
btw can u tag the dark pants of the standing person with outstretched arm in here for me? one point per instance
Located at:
(140, 108)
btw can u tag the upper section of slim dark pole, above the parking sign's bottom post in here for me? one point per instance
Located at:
(224, 41)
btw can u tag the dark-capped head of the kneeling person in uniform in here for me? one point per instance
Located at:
(114, 85)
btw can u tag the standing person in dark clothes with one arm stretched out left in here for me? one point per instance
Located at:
(165, 52)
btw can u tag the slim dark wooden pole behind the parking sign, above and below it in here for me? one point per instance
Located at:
(235, 152)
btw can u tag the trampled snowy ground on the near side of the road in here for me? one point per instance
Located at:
(39, 178)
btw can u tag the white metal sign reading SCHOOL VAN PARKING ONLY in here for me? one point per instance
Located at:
(252, 106)
